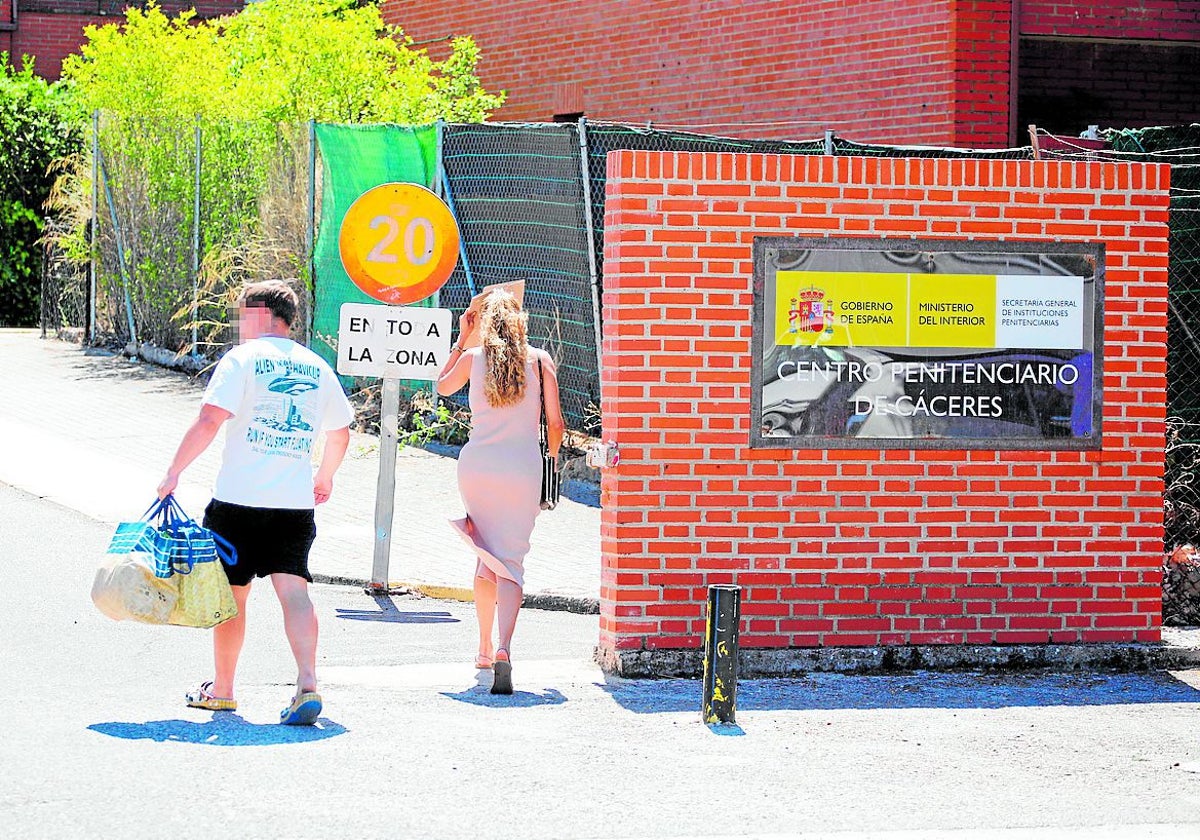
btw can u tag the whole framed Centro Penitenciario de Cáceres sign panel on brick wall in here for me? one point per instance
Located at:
(927, 344)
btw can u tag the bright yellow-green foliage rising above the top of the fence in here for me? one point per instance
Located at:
(280, 61)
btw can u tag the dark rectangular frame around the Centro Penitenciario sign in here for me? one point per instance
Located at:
(766, 251)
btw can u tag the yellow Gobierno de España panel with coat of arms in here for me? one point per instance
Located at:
(842, 309)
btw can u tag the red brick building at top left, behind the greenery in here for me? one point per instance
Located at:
(50, 31)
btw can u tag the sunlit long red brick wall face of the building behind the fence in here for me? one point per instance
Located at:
(881, 71)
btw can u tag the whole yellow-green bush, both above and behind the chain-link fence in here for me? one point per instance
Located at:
(249, 82)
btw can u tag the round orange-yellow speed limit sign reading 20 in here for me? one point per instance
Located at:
(399, 243)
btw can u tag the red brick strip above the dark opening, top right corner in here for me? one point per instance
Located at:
(1127, 20)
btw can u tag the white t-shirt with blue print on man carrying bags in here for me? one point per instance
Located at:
(281, 395)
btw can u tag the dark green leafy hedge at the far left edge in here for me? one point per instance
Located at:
(39, 124)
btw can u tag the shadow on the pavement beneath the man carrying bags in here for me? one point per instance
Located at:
(225, 730)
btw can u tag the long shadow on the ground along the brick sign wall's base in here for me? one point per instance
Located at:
(913, 692)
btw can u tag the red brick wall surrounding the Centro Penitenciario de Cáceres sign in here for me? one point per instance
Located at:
(867, 548)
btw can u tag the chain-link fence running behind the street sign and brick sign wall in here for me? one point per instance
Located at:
(530, 202)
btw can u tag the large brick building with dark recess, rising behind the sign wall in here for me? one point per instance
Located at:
(956, 73)
